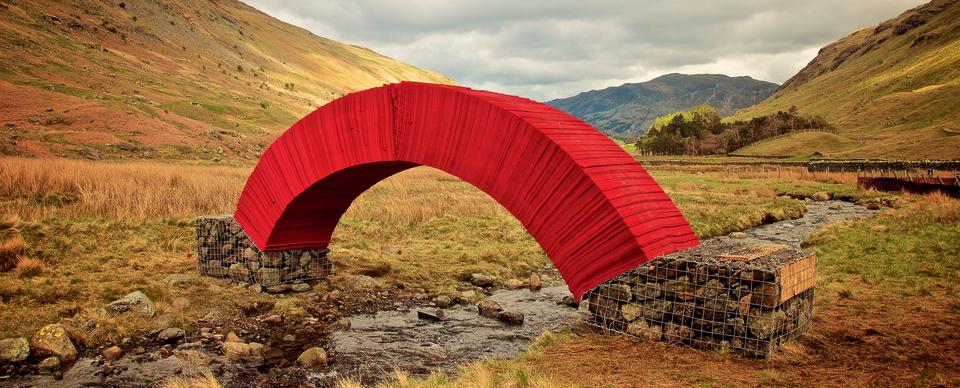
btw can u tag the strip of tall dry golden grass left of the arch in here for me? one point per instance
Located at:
(36, 188)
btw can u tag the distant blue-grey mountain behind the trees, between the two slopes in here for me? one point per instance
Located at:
(626, 111)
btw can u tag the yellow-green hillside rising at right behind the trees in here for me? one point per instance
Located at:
(894, 88)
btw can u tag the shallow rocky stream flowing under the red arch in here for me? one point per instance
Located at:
(377, 344)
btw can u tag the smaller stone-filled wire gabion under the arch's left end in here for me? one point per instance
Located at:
(225, 251)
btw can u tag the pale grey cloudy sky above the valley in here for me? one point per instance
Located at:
(551, 49)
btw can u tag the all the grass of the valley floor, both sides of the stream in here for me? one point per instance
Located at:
(79, 234)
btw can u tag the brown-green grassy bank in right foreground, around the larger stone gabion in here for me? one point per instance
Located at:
(887, 305)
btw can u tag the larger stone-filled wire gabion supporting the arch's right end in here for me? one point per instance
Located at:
(719, 295)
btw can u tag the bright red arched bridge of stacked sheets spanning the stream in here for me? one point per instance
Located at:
(592, 208)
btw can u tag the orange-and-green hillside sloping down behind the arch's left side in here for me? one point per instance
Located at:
(176, 79)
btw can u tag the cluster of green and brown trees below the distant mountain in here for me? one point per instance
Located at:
(700, 132)
